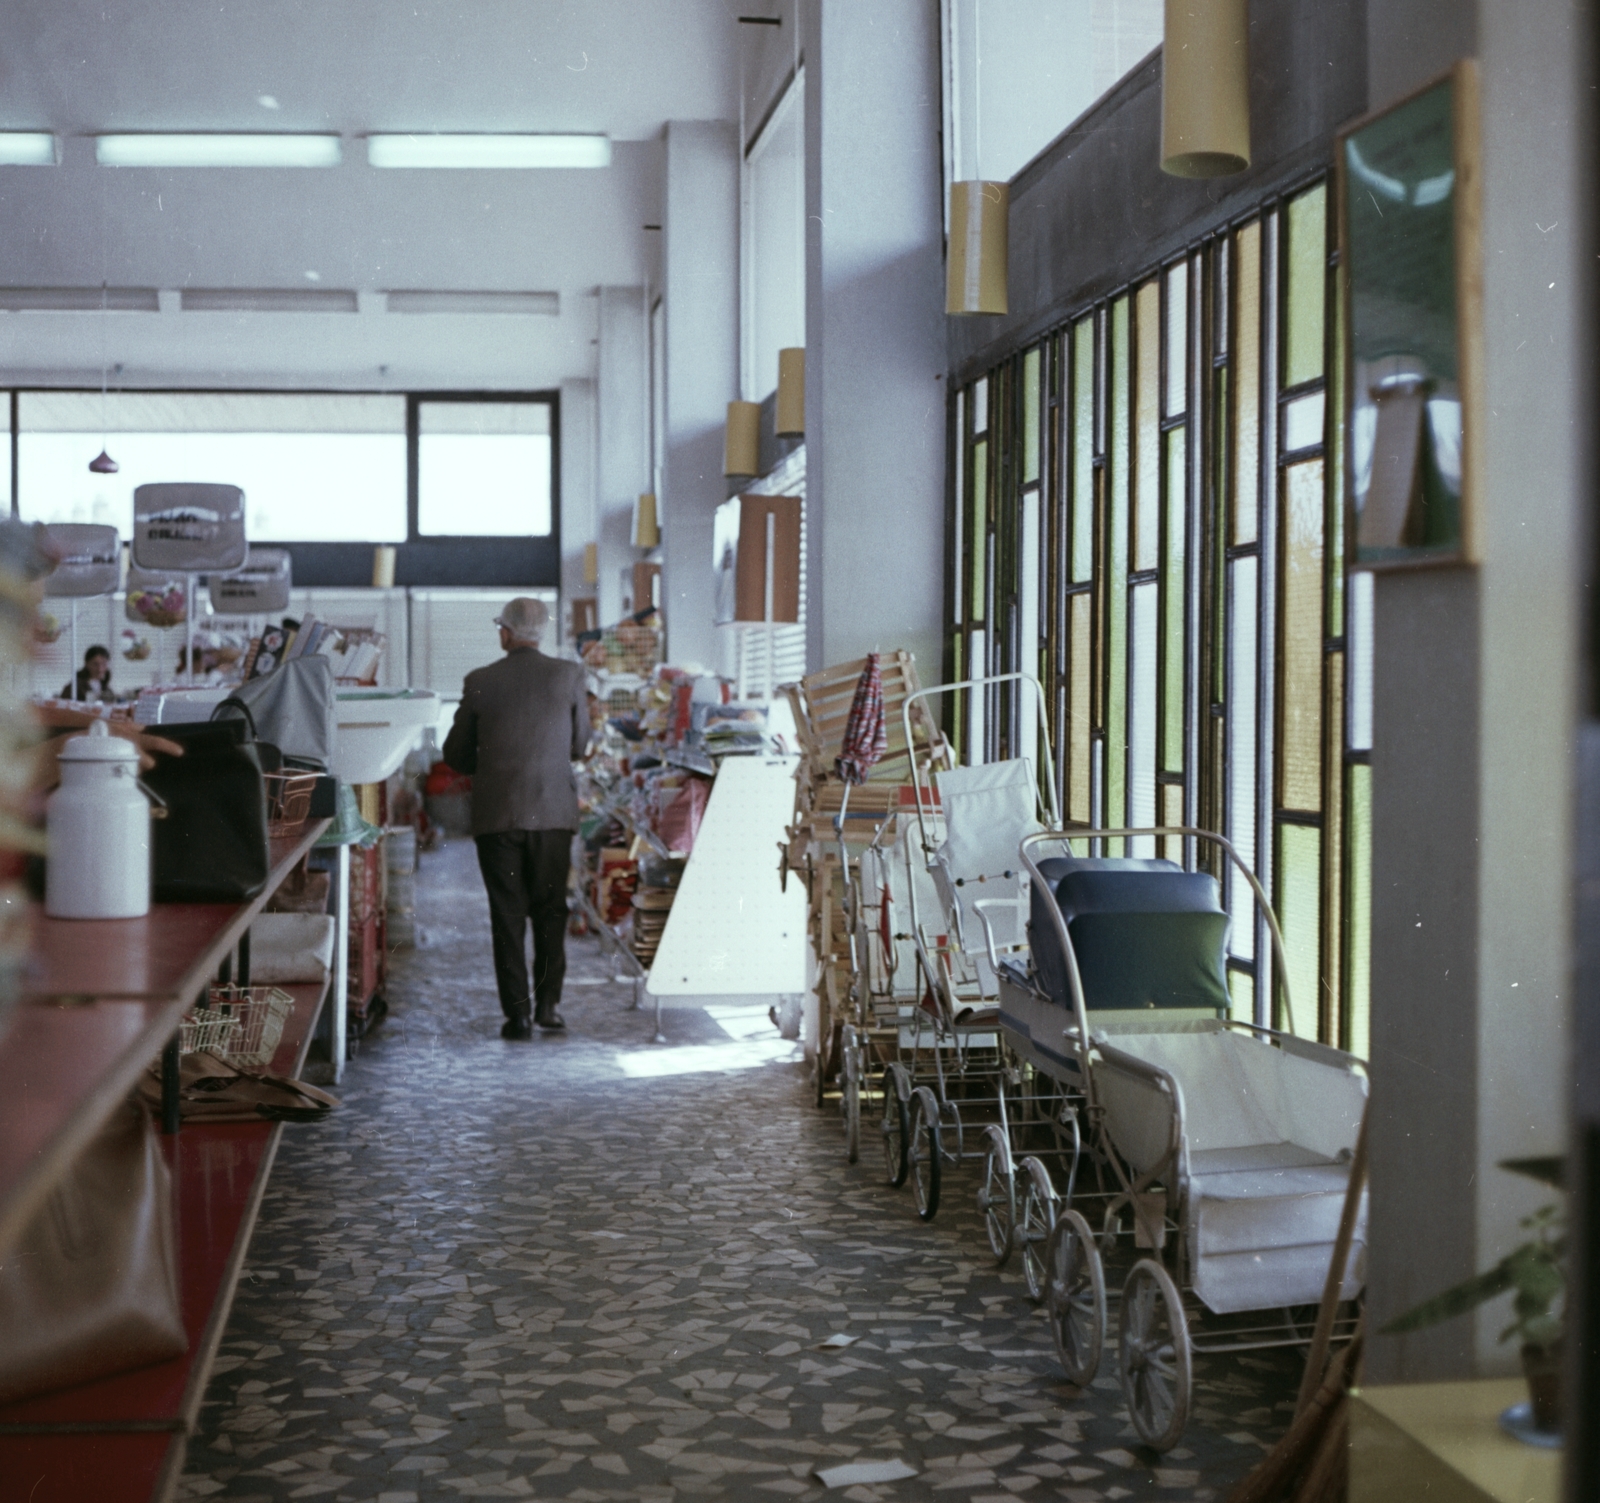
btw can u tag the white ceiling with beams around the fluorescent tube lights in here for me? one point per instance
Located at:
(623, 68)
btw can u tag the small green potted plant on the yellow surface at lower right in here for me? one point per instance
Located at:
(1535, 1272)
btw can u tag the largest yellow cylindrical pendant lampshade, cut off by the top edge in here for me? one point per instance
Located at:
(1206, 89)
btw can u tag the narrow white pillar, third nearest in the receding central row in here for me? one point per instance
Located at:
(623, 467)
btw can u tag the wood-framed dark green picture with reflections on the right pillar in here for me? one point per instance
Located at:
(1412, 300)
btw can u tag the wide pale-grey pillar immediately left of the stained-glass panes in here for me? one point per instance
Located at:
(876, 339)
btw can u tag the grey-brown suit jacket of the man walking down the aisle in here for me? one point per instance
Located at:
(521, 726)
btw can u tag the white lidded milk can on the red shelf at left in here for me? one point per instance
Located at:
(100, 832)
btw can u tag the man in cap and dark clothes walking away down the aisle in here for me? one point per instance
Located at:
(521, 726)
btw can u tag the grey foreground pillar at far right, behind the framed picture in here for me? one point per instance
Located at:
(1474, 726)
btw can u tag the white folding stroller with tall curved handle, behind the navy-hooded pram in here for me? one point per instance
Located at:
(951, 1068)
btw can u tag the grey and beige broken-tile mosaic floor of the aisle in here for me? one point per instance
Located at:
(556, 1272)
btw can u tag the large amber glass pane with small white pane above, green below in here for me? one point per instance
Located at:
(1302, 662)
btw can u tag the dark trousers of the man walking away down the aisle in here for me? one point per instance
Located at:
(526, 876)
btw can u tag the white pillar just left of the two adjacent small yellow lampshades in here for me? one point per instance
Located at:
(702, 297)
